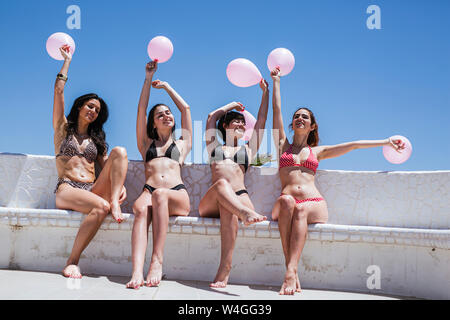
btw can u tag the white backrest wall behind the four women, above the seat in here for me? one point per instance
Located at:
(384, 199)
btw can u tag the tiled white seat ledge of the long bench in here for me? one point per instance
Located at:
(435, 238)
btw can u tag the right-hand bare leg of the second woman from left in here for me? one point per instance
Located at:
(165, 203)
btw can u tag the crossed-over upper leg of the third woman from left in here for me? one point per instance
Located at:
(221, 193)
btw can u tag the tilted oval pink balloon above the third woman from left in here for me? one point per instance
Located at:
(243, 73)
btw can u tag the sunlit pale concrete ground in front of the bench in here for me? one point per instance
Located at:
(32, 285)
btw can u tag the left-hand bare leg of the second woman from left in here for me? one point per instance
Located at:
(142, 210)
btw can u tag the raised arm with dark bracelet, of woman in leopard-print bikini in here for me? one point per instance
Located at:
(59, 118)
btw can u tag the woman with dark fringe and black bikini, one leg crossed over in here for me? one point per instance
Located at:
(228, 198)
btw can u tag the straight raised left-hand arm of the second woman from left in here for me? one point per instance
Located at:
(141, 123)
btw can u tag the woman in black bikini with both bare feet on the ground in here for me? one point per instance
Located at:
(164, 193)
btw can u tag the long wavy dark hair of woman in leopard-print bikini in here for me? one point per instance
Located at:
(95, 129)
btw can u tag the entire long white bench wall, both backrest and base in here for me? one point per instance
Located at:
(398, 221)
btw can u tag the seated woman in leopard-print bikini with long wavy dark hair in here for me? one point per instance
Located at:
(80, 141)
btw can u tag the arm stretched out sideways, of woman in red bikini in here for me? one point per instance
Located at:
(326, 152)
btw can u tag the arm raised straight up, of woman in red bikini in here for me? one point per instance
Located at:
(279, 135)
